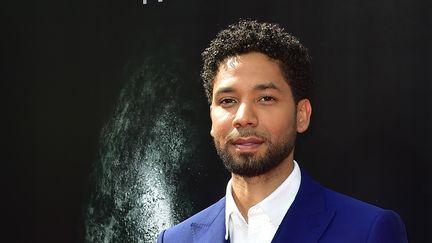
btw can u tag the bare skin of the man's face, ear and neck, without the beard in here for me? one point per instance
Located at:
(250, 92)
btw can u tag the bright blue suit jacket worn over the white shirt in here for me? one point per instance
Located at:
(316, 215)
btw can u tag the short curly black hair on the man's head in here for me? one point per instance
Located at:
(270, 39)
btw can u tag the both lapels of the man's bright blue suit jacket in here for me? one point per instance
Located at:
(305, 221)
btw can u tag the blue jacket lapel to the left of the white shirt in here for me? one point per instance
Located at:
(212, 227)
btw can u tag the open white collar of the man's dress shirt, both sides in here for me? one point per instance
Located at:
(275, 205)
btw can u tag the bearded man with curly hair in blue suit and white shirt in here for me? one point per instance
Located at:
(257, 78)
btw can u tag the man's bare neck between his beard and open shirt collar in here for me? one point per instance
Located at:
(249, 191)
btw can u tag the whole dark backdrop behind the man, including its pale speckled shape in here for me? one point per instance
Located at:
(107, 136)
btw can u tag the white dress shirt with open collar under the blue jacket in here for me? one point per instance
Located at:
(265, 217)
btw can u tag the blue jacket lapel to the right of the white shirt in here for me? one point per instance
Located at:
(308, 217)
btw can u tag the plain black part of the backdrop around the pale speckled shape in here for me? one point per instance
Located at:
(64, 67)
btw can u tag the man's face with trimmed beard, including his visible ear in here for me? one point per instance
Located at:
(254, 117)
